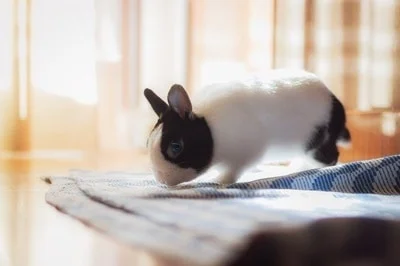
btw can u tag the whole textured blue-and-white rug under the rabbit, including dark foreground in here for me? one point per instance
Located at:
(329, 216)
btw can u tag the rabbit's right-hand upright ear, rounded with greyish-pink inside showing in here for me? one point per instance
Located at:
(179, 101)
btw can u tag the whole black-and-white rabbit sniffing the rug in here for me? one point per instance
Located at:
(279, 116)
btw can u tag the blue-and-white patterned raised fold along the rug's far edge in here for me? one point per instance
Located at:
(380, 175)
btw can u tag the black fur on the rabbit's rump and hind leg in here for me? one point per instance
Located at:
(324, 139)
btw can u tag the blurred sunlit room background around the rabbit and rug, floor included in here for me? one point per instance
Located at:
(72, 75)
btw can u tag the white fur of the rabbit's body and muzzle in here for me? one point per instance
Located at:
(268, 118)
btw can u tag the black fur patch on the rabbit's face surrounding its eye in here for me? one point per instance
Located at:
(196, 136)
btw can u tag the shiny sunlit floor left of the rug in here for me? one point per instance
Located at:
(32, 233)
